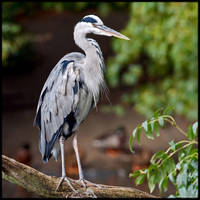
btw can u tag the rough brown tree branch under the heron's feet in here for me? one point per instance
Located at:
(44, 186)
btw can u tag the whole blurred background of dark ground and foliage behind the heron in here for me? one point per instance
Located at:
(156, 68)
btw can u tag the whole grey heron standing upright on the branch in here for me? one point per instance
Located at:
(71, 90)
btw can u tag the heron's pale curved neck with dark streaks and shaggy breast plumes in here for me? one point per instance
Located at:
(93, 68)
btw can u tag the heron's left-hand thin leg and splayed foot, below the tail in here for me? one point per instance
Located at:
(64, 177)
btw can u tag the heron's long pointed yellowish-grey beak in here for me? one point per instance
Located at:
(104, 30)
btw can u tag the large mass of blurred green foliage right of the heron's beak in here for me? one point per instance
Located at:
(160, 61)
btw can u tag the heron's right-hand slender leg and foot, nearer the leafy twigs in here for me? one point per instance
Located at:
(80, 171)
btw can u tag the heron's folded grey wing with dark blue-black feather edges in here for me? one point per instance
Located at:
(57, 102)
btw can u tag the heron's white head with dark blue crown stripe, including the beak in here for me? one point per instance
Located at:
(93, 24)
